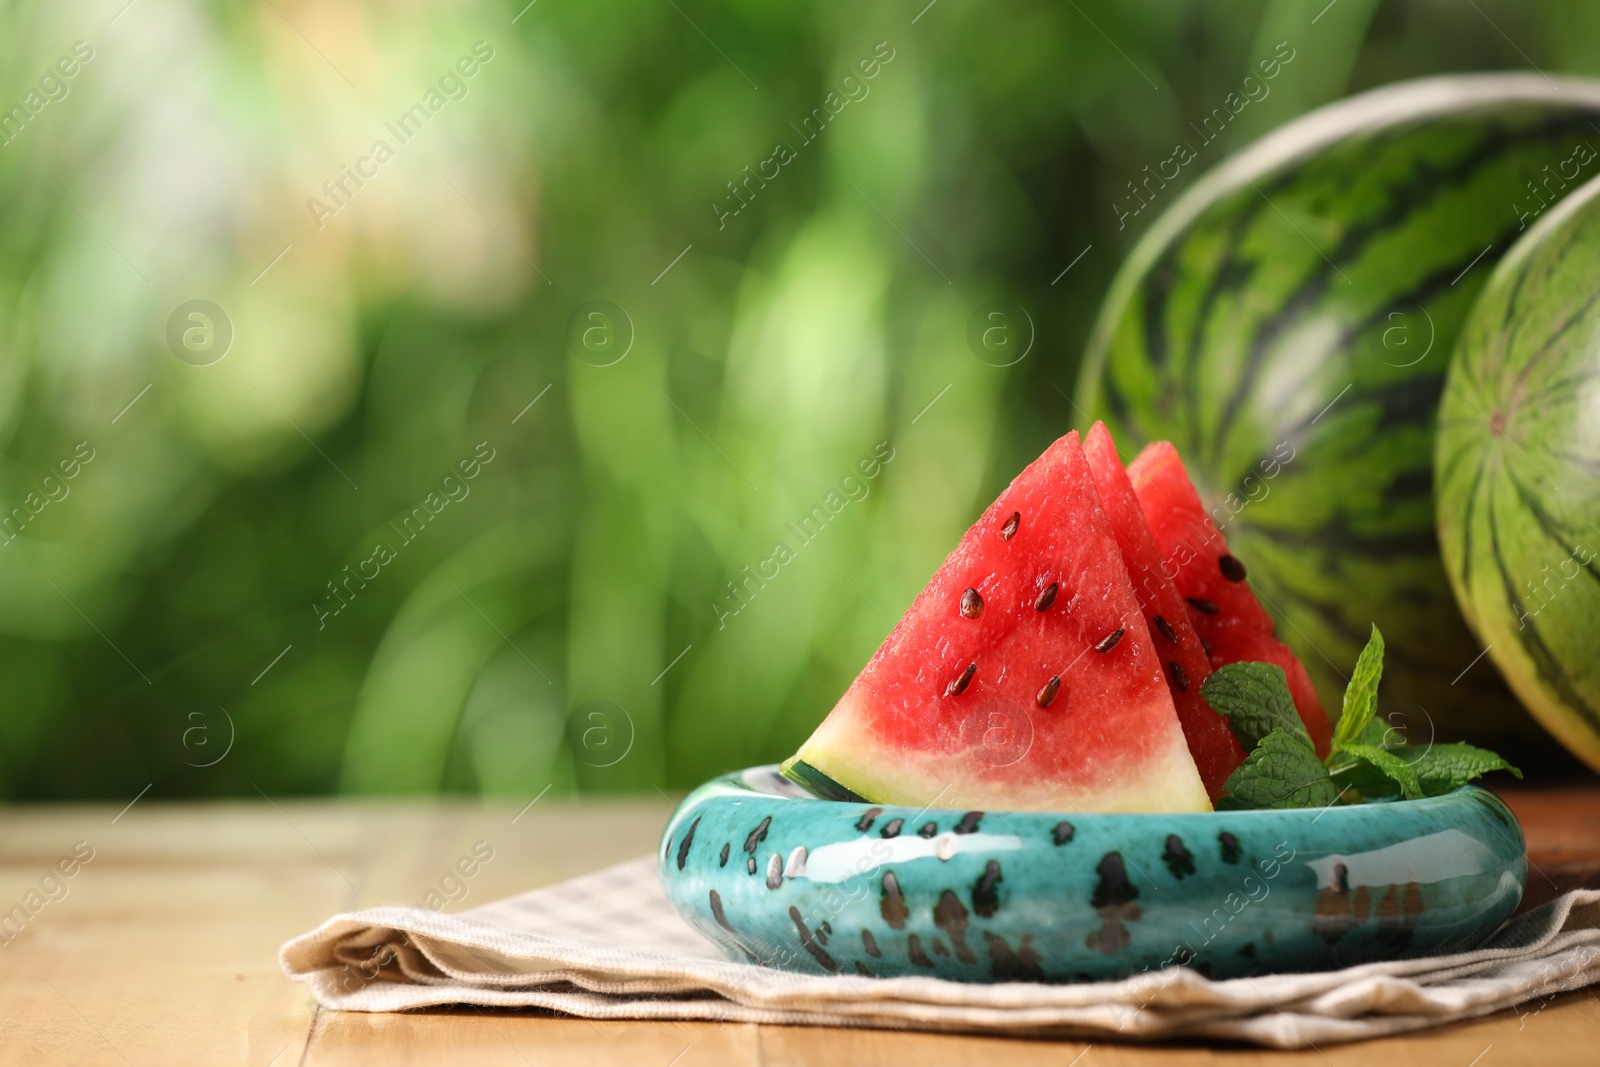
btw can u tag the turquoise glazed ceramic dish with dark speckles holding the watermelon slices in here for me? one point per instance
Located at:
(777, 877)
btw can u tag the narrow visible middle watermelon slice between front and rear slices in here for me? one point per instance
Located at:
(1212, 743)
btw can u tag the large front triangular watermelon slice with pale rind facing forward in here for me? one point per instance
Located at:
(1022, 677)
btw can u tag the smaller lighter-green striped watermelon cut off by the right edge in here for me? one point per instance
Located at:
(1519, 471)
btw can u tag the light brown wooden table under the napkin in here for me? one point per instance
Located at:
(162, 949)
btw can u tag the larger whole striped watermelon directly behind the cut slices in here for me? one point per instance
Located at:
(1287, 326)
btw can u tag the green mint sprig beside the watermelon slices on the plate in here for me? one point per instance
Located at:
(1282, 769)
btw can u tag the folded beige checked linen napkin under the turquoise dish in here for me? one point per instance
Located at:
(609, 946)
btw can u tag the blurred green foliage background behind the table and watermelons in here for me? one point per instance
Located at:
(561, 278)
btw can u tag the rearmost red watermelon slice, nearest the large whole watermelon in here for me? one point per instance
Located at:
(1222, 607)
